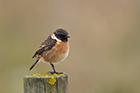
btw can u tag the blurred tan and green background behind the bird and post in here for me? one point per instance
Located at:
(105, 43)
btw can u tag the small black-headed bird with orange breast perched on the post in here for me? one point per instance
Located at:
(54, 49)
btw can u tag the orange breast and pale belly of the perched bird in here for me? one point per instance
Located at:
(58, 53)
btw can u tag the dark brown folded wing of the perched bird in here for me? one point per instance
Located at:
(48, 44)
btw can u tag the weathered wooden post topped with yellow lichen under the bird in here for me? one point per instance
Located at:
(46, 83)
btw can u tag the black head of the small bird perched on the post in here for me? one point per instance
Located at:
(62, 34)
